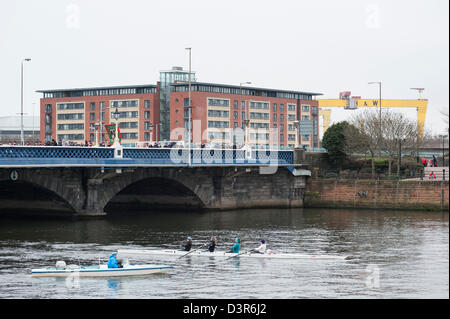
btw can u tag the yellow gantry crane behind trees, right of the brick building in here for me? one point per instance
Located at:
(353, 103)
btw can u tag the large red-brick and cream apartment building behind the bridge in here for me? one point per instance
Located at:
(161, 112)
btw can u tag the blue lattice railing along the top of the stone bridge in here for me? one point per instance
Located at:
(11, 156)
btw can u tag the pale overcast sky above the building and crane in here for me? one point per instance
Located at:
(319, 46)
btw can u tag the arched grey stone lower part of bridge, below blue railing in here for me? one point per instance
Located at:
(88, 191)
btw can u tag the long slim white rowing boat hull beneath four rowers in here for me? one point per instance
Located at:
(200, 253)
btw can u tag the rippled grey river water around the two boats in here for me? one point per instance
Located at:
(401, 254)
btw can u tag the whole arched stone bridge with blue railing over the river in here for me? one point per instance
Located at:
(94, 181)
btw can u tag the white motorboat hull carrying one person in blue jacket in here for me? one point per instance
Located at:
(101, 271)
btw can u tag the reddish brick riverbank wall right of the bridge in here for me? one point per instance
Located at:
(377, 194)
